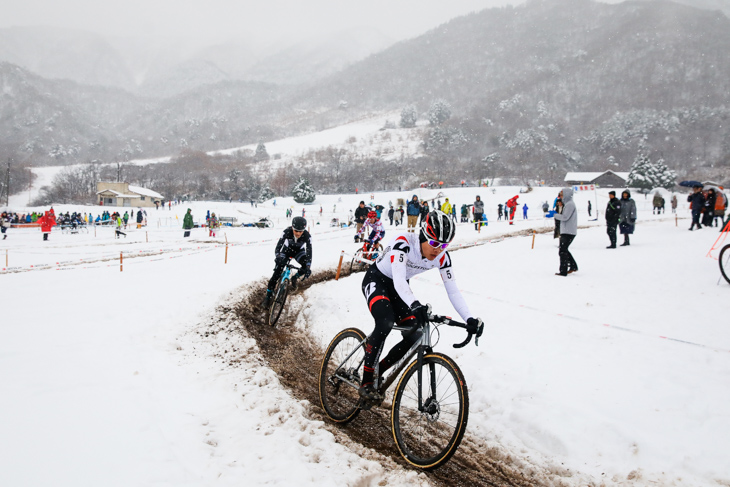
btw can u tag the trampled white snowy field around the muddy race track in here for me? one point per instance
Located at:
(615, 373)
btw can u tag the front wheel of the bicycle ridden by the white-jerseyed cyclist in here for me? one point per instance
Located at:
(427, 438)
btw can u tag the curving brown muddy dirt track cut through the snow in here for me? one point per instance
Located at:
(296, 357)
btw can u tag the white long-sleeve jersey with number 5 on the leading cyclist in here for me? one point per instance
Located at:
(402, 259)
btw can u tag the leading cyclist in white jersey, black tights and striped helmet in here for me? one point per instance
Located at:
(391, 300)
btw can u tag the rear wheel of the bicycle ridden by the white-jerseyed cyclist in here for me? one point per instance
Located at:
(340, 376)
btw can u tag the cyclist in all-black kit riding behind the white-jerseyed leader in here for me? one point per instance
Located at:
(295, 242)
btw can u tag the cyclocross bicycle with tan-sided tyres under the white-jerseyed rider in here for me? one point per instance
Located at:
(430, 405)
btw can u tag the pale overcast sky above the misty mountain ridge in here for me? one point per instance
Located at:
(214, 21)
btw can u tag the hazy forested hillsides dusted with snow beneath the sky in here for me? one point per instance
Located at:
(532, 91)
